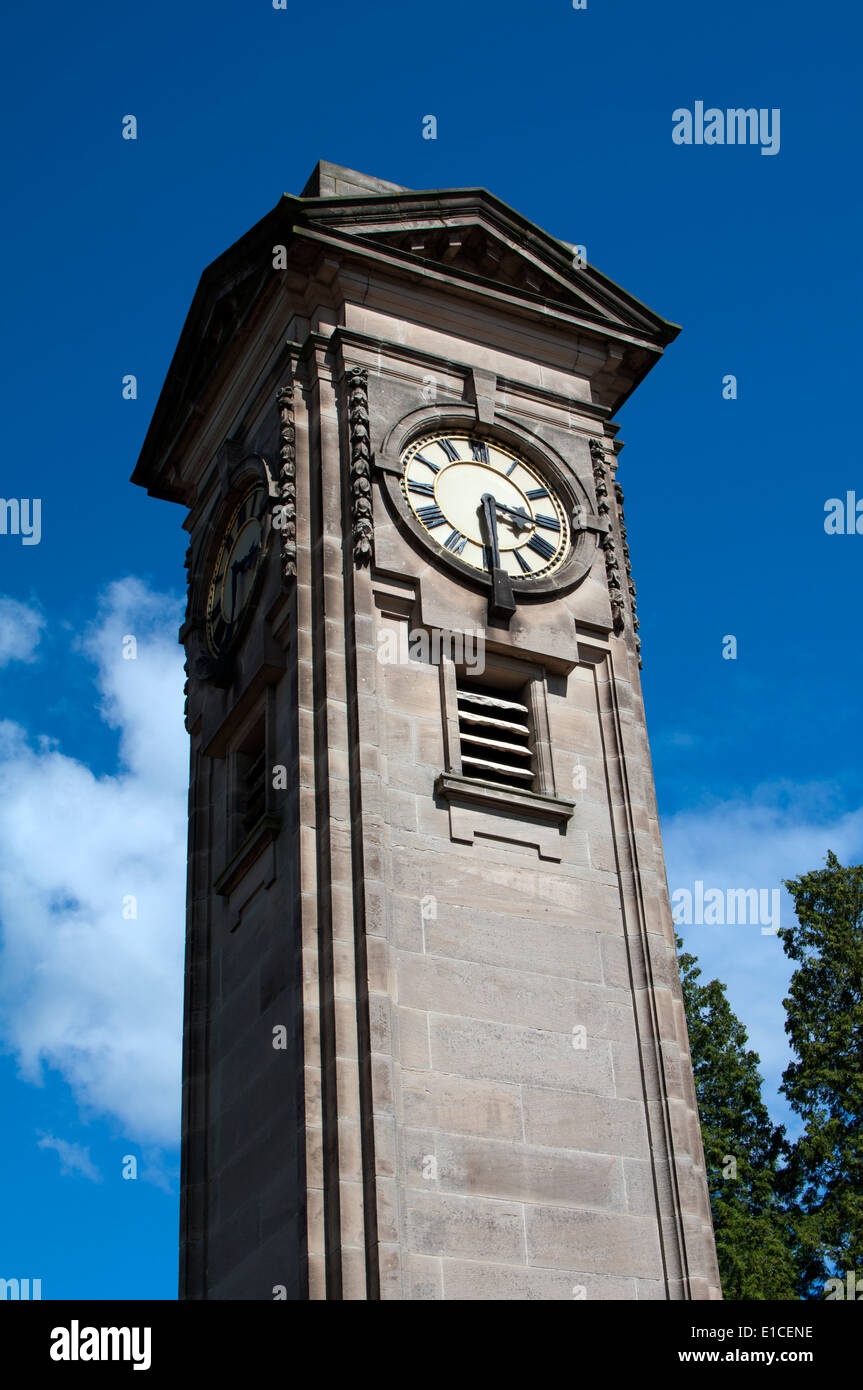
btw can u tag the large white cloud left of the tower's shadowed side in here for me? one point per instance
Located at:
(83, 989)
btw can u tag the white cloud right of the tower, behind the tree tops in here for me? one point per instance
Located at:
(782, 832)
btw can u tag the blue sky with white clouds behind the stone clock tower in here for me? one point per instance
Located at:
(568, 117)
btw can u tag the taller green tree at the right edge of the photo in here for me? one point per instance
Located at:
(825, 1081)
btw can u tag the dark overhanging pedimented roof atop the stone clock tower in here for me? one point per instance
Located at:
(465, 243)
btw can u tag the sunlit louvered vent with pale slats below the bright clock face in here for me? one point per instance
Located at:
(494, 733)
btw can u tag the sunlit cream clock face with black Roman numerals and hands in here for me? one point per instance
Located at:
(448, 483)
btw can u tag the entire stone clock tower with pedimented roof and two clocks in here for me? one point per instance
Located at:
(434, 1039)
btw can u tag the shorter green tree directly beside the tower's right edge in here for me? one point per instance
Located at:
(743, 1147)
